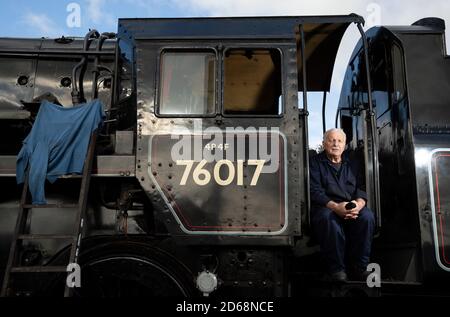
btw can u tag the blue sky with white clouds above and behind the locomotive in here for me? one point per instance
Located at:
(53, 18)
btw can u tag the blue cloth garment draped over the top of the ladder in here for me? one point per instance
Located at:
(57, 144)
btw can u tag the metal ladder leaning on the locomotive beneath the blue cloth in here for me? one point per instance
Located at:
(14, 265)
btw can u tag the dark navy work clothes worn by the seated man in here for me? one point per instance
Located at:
(342, 241)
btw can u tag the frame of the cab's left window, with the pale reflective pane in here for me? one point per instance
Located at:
(158, 82)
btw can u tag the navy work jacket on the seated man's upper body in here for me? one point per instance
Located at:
(326, 184)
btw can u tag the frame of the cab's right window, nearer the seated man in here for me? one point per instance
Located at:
(222, 81)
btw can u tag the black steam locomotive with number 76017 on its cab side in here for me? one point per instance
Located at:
(200, 181)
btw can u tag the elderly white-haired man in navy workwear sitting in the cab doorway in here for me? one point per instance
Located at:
(339, 217)
